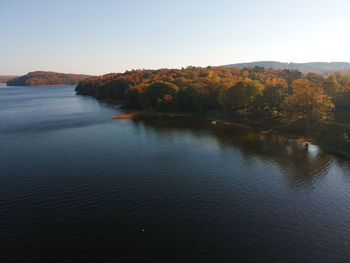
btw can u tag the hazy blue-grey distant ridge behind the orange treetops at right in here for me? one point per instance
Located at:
(324, 68)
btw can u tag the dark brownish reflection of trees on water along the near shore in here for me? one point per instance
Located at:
(303, 164)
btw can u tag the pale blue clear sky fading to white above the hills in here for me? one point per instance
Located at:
(101, 36)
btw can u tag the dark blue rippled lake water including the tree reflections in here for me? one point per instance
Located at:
(77, 186)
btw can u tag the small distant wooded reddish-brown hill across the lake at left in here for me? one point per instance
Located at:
(42, 78)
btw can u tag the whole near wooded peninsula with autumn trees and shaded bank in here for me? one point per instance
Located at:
(284, 101)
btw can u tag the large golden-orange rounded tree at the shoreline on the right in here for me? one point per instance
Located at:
(307, 102)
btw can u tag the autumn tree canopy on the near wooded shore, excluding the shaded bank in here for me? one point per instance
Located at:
(310, 98)
